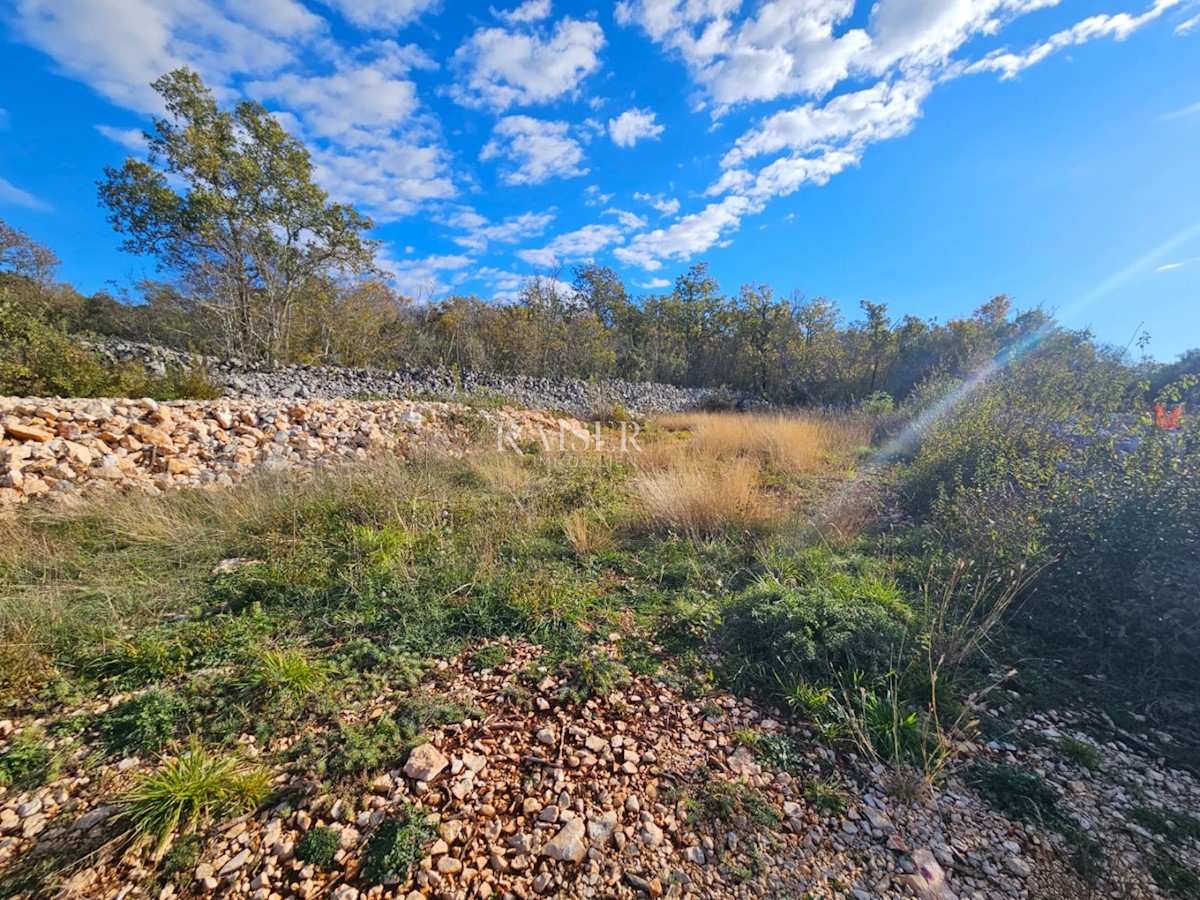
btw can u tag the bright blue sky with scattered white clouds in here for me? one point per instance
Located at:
(927, 154)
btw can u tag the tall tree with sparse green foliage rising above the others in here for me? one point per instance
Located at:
(227, 205)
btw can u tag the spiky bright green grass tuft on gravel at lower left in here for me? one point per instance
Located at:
(188, 791)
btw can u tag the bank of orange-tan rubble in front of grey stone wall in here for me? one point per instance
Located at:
(56, 448)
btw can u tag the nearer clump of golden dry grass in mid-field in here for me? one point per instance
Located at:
(700, 500)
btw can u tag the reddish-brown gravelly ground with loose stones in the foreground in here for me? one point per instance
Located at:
(644, 793)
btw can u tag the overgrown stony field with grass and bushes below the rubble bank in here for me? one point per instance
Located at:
(883, 653)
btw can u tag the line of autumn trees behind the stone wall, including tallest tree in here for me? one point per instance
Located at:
(257, 263)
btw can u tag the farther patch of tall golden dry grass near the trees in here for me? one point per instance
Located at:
(787, 443)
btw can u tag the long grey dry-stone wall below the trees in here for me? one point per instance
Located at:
(247, 381)
